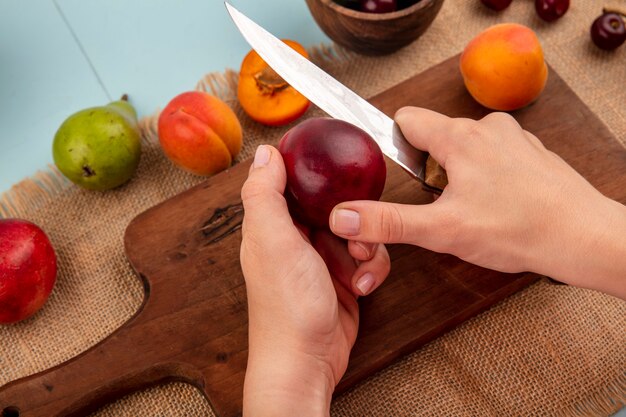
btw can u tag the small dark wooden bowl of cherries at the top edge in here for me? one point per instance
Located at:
(373, 33)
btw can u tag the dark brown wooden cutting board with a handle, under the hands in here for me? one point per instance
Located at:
(193, 324)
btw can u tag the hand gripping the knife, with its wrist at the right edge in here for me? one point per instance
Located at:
(510, 205)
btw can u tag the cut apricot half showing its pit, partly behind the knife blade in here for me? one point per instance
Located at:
(265, 96)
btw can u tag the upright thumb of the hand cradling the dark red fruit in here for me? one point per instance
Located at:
(265, 209)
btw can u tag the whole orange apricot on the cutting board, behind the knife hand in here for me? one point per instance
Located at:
(503, 67)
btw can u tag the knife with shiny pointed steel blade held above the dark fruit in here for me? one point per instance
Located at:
(330, 95)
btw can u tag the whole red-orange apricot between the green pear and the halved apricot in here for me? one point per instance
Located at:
(200, 133)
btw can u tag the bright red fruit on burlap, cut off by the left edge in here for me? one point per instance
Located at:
(28, 269)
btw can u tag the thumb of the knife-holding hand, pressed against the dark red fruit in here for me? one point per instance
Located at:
(380, 222)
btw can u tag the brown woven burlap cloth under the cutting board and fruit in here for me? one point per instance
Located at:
(548, 350)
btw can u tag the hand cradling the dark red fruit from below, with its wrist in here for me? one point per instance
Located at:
(302, 289)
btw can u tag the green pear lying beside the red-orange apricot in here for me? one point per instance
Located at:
(99, 148)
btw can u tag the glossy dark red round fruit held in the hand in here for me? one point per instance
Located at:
(329, 161)
